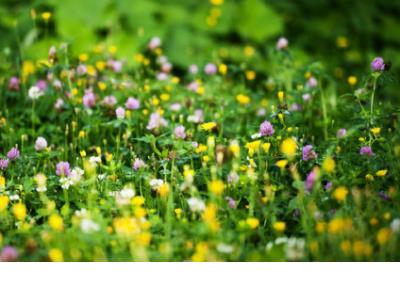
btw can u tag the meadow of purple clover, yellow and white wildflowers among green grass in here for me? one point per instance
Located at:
(105, 160)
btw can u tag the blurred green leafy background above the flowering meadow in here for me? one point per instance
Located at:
(344, 35)
